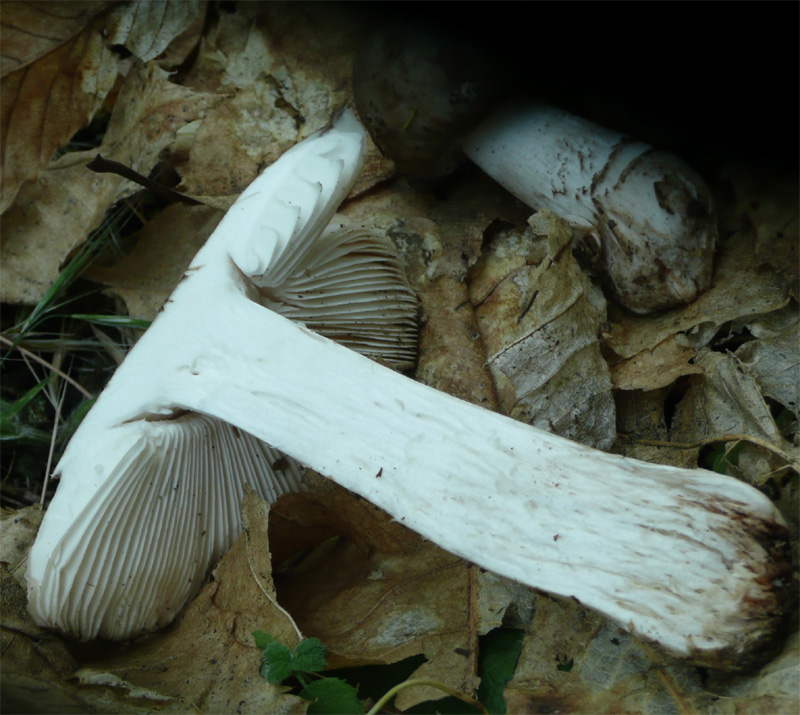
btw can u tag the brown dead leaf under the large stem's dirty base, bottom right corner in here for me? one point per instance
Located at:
(574, 661)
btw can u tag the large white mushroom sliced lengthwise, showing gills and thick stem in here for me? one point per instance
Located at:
(691, 559)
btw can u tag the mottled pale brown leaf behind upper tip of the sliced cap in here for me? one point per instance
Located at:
(276, 99)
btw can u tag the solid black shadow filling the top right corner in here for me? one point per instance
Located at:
(709, 81)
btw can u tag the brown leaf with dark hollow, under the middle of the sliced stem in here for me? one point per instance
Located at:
(377, 592)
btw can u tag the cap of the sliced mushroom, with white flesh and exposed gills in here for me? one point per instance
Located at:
(150, 489)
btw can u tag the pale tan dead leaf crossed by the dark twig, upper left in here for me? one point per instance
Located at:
(53, 215)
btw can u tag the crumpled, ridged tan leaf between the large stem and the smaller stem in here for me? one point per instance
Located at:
(539, 317)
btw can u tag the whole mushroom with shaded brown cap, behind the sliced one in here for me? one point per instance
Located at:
(423, 95)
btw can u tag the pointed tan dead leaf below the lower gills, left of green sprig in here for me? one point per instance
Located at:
(209, 656)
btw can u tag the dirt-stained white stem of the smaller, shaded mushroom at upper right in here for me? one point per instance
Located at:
(652, 214)
